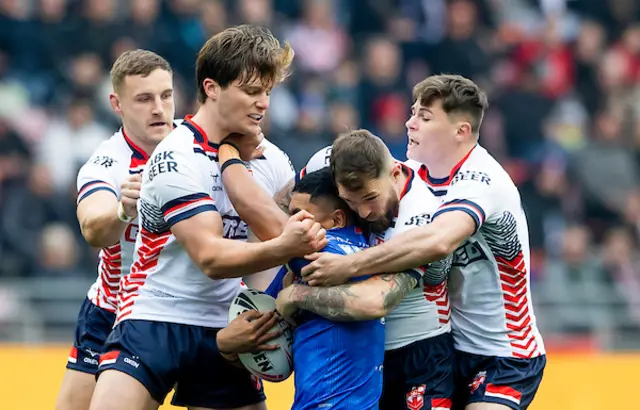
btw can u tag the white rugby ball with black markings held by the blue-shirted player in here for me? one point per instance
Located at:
(273, 365)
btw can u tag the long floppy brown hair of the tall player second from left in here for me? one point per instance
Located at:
(242, 52)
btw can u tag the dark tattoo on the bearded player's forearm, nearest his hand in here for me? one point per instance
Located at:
(329, 302)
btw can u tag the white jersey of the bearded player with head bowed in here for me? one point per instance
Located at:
(425, 311)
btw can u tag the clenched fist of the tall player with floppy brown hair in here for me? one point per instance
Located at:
(302, 235)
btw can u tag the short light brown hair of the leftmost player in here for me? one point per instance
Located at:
(136, 62)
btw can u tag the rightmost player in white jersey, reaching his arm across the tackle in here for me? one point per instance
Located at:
(501, 355)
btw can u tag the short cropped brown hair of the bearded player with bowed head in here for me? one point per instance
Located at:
(357, 157)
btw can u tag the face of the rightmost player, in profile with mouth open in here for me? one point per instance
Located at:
(430, 130)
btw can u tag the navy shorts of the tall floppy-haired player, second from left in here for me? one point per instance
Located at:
(162, 356)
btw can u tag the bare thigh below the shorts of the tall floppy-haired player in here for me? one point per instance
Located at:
(116, 390)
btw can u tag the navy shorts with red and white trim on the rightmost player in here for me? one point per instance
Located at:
(508, 381)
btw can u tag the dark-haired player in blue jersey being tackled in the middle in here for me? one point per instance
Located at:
(337, 365)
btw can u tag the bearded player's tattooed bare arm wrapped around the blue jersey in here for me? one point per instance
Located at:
(365, 300)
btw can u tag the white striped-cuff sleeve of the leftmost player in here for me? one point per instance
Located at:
(99, 173)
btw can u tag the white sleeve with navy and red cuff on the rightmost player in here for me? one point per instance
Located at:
(475, 193)
